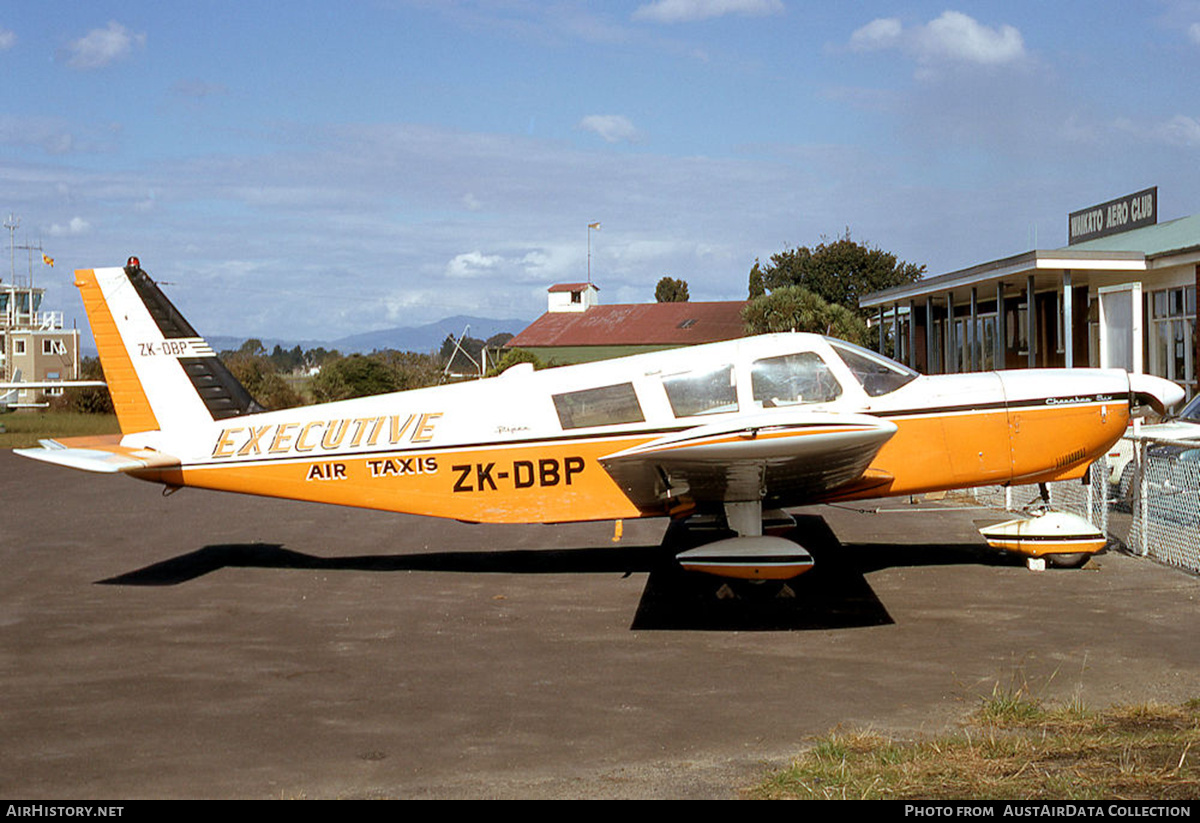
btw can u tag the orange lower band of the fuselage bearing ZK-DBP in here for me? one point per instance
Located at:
(563, 480)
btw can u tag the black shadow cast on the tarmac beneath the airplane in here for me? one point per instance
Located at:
(833, 596)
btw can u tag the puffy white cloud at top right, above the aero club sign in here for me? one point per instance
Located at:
(952, 38)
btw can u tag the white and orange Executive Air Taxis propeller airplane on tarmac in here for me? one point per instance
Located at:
(730, 431)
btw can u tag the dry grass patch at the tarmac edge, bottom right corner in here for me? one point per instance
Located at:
(1012, 748)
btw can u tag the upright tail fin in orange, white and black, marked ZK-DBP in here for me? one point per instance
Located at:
(161, 375)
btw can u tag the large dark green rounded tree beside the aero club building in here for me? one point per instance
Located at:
(842, 272)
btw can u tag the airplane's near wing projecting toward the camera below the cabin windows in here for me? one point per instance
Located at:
(778, 458)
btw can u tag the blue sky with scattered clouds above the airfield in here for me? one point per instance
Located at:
(308, 171)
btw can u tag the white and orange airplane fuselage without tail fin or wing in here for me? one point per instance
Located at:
(529, 447)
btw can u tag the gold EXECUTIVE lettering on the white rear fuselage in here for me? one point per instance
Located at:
(325, 435)
